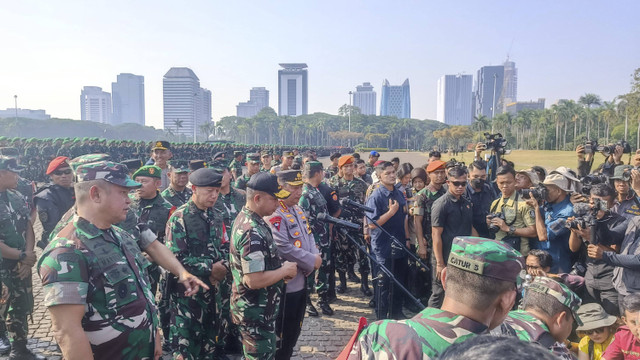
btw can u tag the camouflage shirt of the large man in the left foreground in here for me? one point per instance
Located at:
(104, 271)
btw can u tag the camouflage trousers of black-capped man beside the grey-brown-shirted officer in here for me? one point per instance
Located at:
(258, 342)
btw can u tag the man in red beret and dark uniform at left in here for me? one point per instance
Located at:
(54, 199)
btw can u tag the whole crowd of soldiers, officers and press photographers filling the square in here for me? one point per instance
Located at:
(212, 254)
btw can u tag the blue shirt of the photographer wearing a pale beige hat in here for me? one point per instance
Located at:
(555, 216)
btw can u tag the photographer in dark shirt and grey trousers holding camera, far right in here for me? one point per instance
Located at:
(609, 233)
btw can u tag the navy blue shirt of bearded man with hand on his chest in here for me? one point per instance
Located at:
(380, 241)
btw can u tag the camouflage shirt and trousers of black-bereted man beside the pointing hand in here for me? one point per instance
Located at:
(194, 237)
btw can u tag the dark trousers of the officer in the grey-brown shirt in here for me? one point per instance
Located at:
(289, 322)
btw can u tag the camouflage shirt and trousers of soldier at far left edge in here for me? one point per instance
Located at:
(14, 223)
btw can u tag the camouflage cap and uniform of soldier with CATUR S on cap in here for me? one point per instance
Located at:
(432, 331)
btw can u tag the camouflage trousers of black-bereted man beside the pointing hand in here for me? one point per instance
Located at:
(194, 325)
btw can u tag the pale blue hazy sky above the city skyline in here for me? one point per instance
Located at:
(562, 49)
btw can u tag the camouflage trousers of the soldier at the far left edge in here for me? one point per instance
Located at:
(19, 304)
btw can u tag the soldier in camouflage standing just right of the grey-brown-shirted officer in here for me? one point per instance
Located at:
(313, 203)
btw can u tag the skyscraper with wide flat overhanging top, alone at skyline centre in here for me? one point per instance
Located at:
(293, 89)
